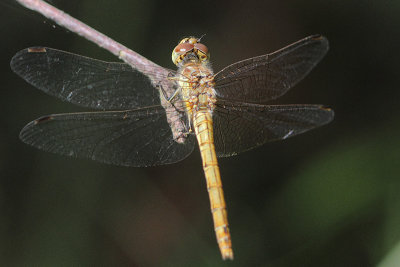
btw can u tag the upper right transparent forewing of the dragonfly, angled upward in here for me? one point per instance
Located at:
(267, 77)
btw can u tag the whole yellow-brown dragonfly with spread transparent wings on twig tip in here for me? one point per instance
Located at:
(155, 117)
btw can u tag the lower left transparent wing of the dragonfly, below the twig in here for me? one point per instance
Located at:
(136, 138)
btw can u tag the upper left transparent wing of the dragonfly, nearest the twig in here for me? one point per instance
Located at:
(89, 82)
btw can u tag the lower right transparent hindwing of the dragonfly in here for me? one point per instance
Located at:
(241, 127)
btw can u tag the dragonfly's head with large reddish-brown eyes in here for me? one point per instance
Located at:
(190, 49)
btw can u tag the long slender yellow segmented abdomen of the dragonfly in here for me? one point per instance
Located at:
(202, 121)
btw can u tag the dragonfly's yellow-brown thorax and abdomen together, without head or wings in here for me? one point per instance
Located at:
(197, 92)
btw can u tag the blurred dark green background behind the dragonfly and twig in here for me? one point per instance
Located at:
(329, 197)
